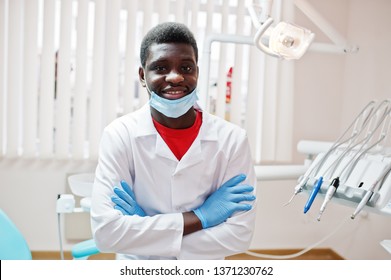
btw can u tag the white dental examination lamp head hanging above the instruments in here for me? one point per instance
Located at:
(285, 40)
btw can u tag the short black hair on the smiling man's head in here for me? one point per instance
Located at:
(168, 32)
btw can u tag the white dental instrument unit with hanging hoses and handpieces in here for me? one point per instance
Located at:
(355, 171)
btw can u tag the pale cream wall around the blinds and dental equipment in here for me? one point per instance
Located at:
(330, 90)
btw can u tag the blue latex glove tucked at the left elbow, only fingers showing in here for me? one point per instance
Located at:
(125, 201)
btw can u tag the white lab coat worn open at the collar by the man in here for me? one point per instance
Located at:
(132, 150)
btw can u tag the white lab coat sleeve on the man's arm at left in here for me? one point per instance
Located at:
(159, 235)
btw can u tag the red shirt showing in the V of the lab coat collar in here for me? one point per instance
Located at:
(179, 140)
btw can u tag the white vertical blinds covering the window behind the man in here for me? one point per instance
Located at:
(61, 84)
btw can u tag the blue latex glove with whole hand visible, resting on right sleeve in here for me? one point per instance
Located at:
(225, 201)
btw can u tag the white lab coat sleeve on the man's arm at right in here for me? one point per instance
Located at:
(233, 236)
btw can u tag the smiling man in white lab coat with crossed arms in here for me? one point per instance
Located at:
(173, 181)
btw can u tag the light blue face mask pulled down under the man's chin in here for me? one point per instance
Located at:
(173, 108)
